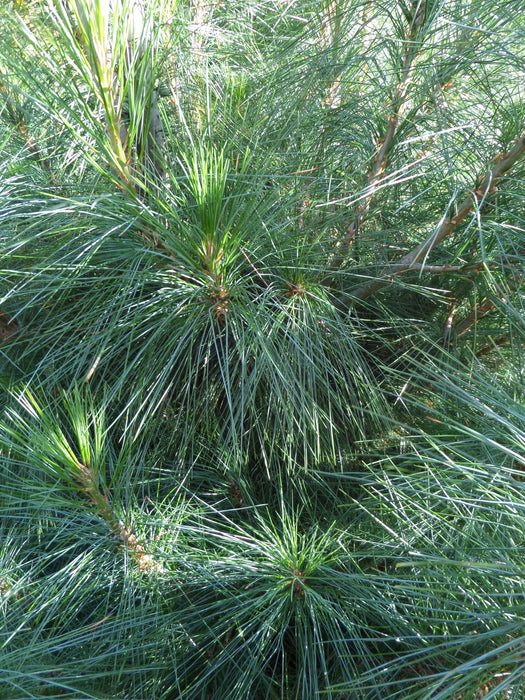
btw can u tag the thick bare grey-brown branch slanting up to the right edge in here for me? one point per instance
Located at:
(415, 260)
